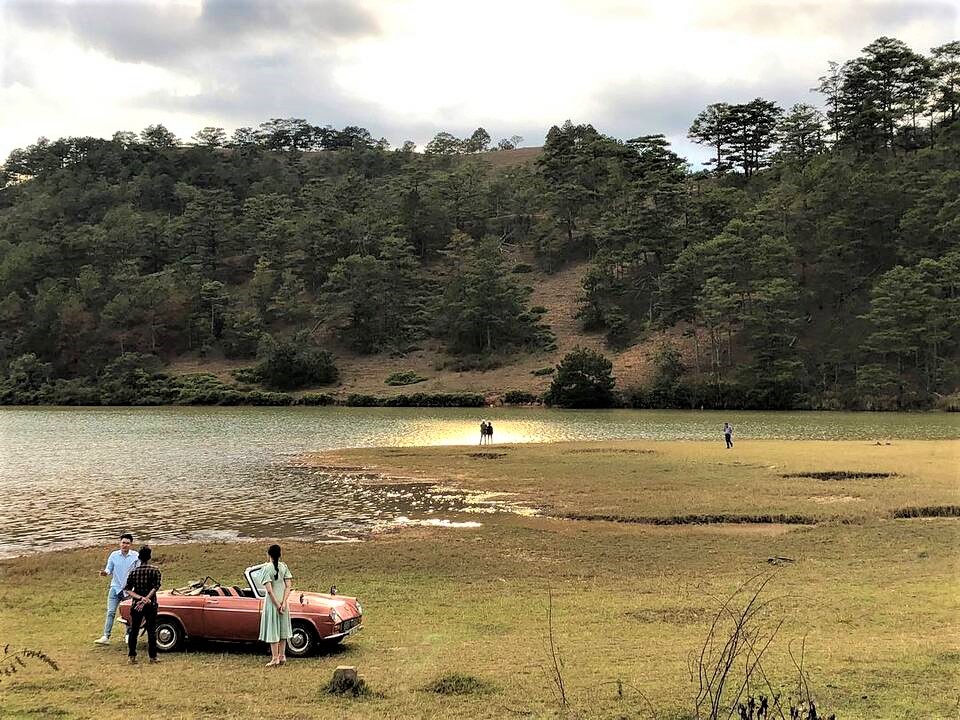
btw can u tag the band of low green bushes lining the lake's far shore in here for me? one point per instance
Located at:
(582, 380)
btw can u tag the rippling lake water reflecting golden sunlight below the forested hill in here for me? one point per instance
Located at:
(80, 476)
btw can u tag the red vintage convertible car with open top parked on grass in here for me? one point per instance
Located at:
(211, 611)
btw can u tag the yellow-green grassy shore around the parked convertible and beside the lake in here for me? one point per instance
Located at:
(877, 599)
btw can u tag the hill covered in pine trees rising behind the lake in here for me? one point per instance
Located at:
(815, 264)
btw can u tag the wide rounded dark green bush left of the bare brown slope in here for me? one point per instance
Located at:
(287, 364)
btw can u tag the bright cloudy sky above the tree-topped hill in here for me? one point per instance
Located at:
(406, 69)
